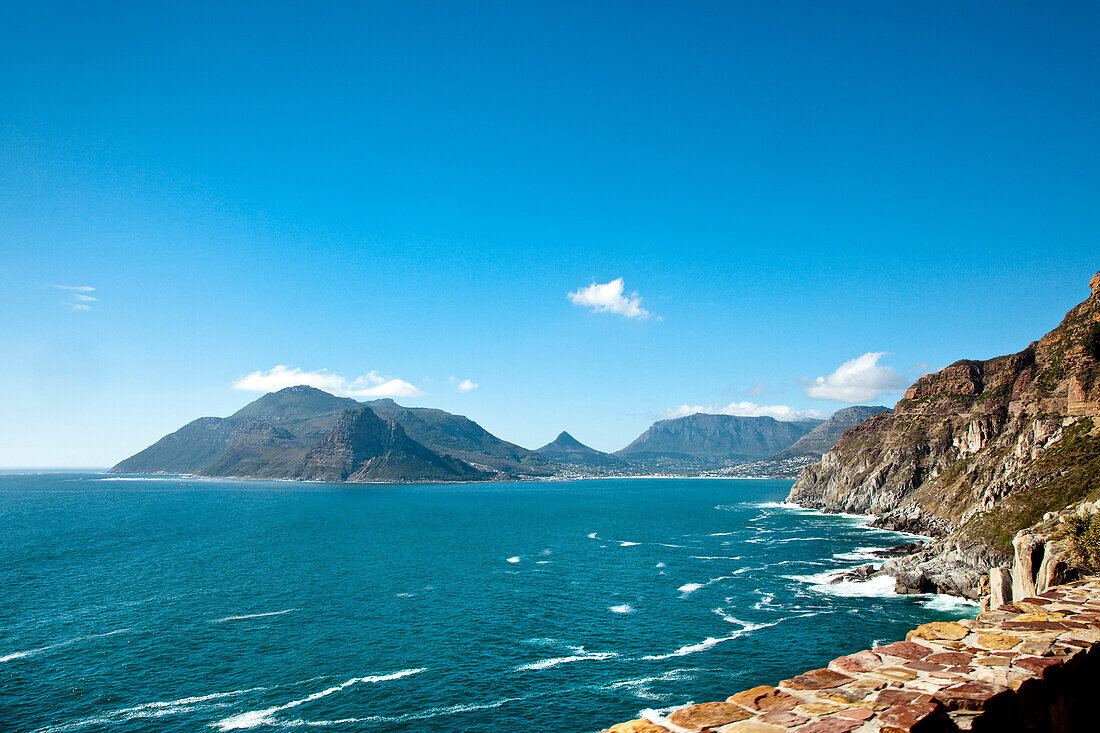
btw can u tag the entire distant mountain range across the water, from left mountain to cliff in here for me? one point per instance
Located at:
(304, 433)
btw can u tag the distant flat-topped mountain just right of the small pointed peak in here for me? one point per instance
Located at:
(709, 440)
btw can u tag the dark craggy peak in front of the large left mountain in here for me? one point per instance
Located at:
(362, 447)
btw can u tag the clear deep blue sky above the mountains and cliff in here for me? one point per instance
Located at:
(413, 191)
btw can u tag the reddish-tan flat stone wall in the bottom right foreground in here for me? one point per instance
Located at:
(1032, 665)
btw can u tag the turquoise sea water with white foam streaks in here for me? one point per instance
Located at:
(181, 605)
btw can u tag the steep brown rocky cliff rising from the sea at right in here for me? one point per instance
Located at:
(974, 454)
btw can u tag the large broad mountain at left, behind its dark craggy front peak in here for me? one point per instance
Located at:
(272, 436)
